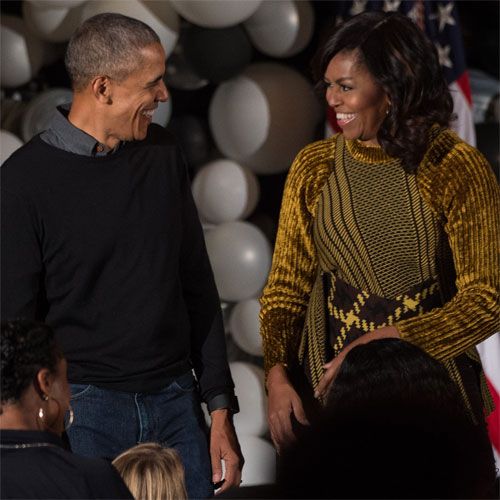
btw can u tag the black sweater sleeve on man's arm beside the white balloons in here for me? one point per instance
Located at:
(208, 341)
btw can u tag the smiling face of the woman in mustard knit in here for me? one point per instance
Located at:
(359, 102)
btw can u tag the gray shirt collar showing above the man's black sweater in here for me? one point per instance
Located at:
(64, 135)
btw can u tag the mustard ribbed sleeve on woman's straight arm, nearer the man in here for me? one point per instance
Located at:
(286, 295)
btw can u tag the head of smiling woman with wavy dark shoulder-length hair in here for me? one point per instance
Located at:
(383, 79)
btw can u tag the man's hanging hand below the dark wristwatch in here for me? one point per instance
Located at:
(224, 446)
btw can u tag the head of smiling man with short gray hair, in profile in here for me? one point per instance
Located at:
(116, 65)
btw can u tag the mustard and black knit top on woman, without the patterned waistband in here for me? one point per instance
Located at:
(352, 211)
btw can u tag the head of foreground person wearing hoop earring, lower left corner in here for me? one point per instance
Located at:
(35, 393)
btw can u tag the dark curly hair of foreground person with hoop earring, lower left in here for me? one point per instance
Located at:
(27, 347)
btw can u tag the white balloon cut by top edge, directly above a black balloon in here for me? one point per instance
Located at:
(216, 13)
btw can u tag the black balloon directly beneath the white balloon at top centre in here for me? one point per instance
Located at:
(217, 54)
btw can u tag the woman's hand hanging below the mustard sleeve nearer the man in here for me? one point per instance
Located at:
(283, 404)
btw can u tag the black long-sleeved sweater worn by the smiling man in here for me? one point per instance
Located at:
(110, 252)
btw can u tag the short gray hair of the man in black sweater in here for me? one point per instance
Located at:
(107, 44)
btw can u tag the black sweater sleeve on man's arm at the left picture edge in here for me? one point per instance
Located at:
(21, 262)
